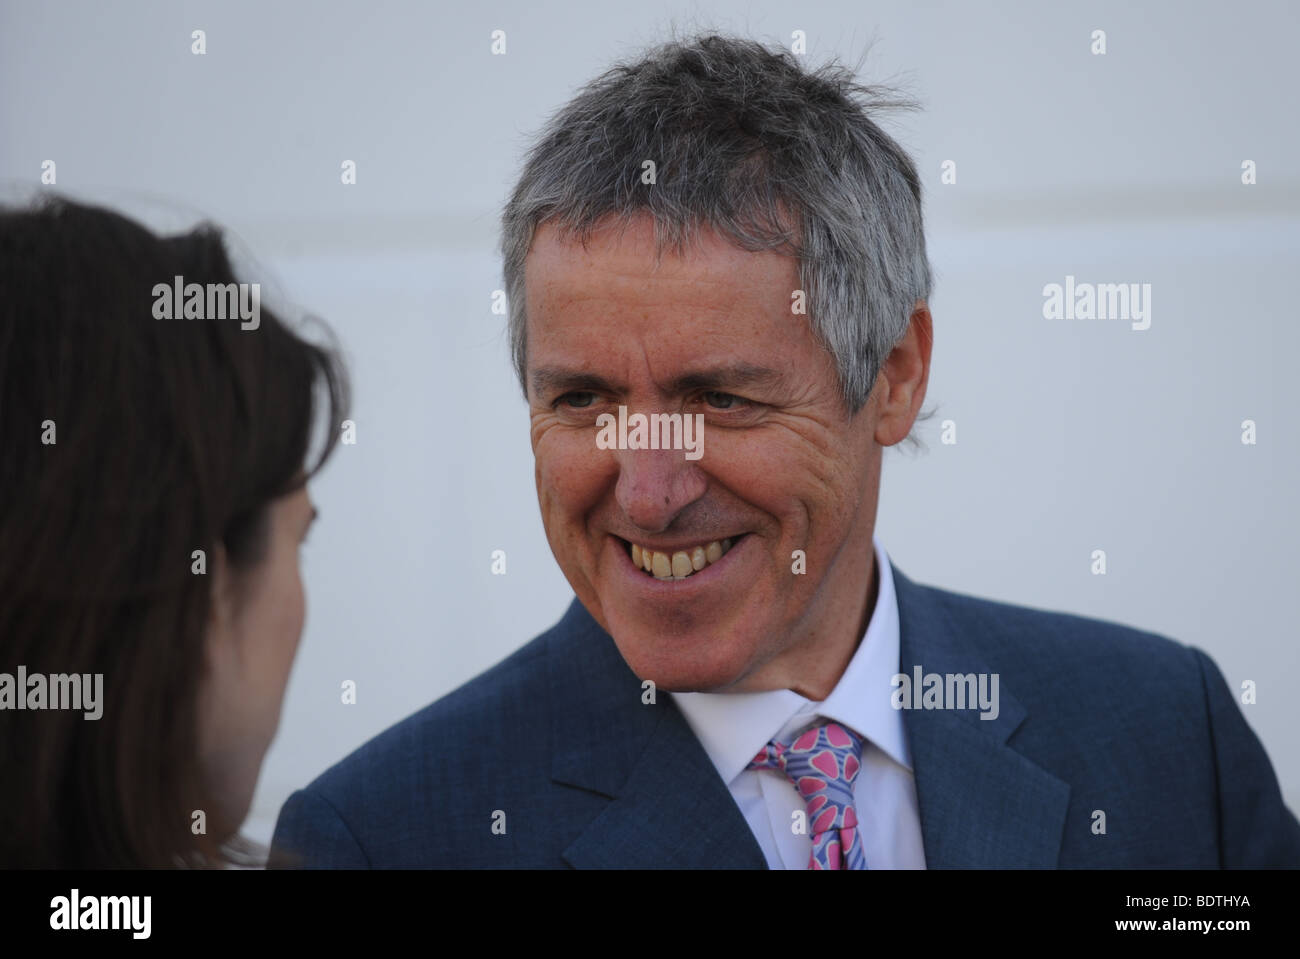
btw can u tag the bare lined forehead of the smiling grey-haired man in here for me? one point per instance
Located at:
(712, 298)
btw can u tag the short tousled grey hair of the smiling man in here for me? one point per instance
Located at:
(742, 137)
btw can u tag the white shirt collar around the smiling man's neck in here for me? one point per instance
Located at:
(735, 727)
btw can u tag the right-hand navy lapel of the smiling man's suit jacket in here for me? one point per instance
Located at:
(982, 804)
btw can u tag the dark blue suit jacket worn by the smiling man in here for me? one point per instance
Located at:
(1094, 717)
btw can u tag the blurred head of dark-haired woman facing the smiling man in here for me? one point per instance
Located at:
(154, 496)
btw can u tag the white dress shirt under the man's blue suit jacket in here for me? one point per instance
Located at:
(735, 727)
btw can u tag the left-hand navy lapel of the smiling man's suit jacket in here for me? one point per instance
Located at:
(669, 805)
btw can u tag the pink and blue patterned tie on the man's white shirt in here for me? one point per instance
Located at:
(822, 763)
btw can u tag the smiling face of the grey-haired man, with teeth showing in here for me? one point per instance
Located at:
(785, 468)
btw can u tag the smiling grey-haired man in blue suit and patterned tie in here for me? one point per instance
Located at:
(716, 236)
